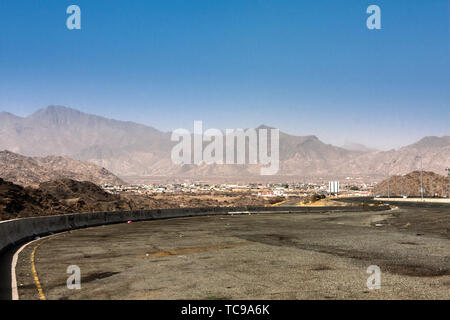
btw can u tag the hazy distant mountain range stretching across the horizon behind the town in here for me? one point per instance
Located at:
(131, 149)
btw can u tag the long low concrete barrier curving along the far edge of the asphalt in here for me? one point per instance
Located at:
(18, 230)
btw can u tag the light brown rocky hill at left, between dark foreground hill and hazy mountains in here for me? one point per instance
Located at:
(25, 171)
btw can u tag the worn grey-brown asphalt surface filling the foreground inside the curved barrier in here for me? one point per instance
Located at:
(266, 256)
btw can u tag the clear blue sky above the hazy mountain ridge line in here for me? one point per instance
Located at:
(306, 67)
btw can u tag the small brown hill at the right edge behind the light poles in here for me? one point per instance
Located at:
(409, 185)
